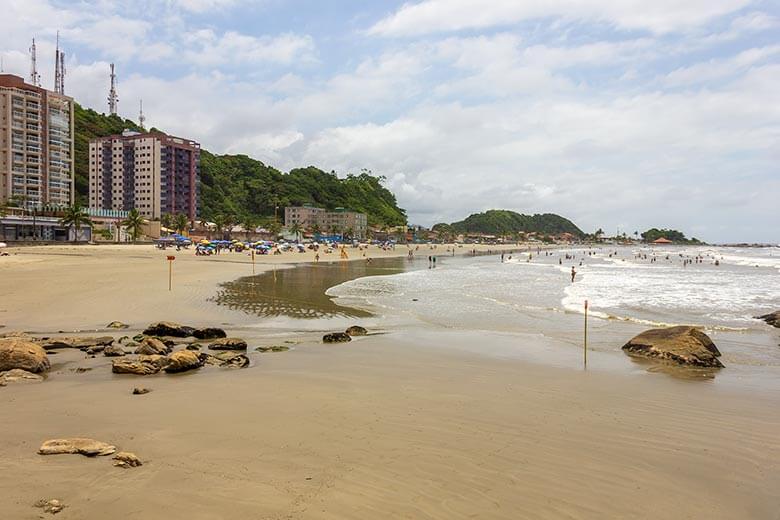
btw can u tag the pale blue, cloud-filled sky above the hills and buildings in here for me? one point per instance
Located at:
(617, 114)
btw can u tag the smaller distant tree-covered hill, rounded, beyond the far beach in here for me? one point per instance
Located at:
(503, 222)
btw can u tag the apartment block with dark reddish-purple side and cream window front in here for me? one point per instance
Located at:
(152, 172)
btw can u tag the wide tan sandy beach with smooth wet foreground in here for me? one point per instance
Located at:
(392, 425)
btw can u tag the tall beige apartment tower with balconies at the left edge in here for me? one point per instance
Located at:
(36, 144)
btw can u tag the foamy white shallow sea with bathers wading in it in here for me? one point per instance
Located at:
(628, 289)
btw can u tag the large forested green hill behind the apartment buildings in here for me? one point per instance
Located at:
(239, 186)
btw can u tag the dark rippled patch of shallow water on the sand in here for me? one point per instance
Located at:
(300, 292)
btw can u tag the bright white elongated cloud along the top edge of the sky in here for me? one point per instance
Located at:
(659, 16)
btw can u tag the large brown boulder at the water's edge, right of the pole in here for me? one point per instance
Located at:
(683, 345)
